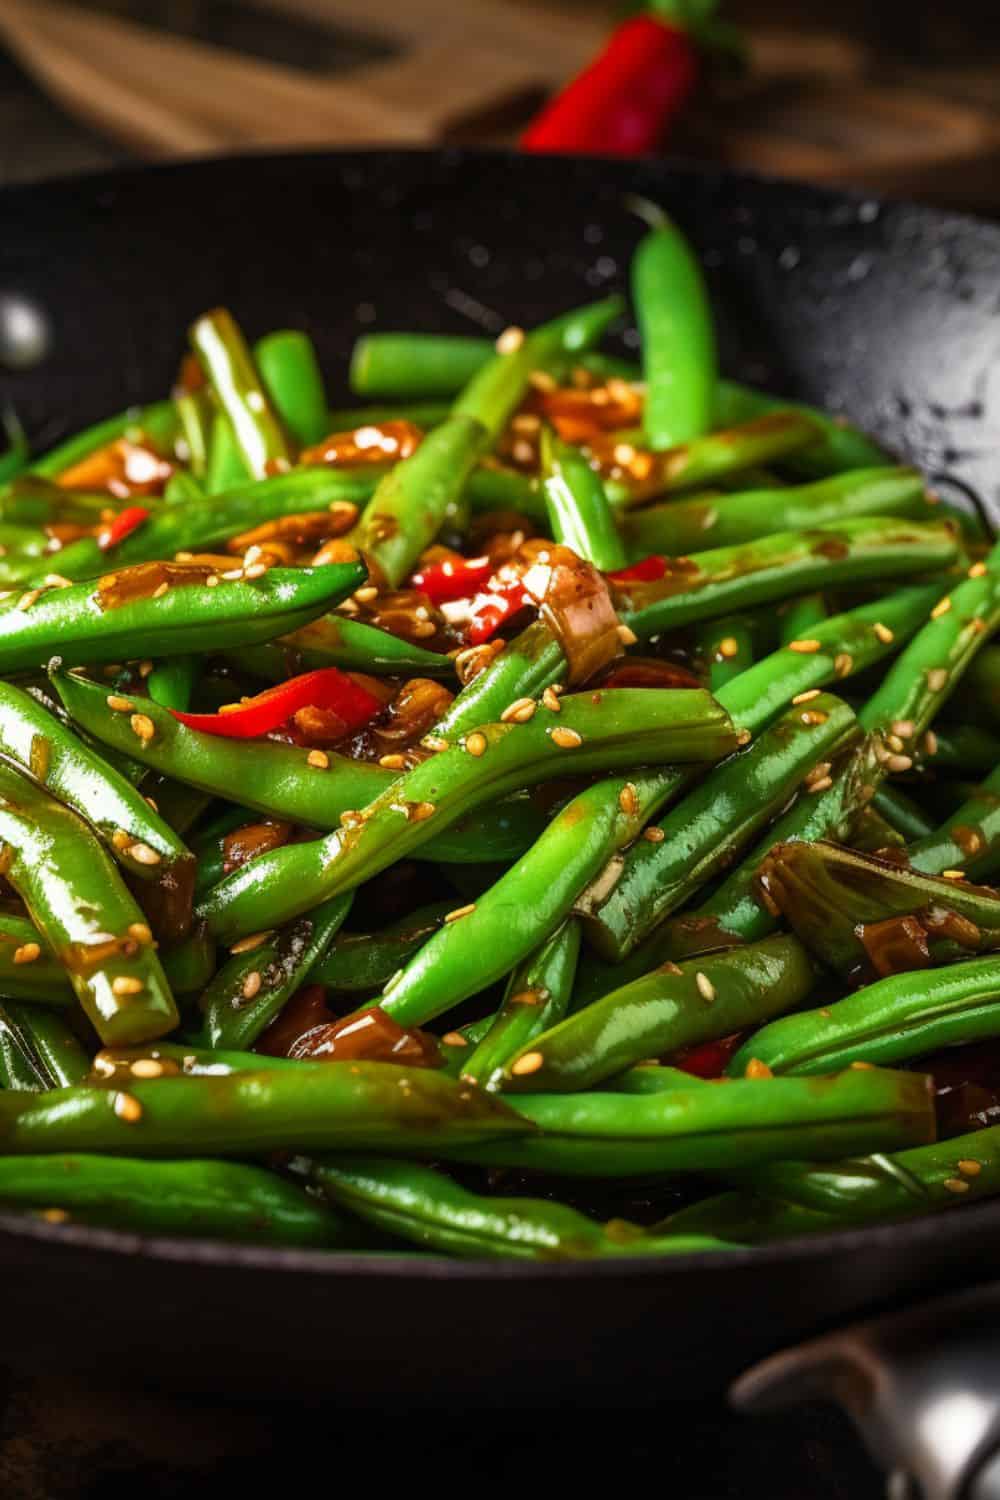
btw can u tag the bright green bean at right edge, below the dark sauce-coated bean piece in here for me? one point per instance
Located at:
(897, 1019)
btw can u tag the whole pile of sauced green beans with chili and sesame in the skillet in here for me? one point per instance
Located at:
(548, 766)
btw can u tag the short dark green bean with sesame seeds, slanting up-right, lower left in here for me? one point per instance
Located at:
(253, 988)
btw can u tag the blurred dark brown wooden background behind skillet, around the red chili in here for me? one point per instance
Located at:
(896, 95)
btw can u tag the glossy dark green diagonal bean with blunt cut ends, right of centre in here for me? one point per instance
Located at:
(705, 832)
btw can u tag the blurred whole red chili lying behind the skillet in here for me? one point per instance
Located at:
(623, 103)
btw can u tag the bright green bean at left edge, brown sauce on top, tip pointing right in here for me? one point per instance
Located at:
(79, 625)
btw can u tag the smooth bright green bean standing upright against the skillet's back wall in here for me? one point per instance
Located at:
(677, 337)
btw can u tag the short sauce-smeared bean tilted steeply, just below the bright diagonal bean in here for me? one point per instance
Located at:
(536, 1000)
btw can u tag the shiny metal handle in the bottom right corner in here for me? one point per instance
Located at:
(923, 1387)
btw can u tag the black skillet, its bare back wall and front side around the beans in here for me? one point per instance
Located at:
(887, 313)
